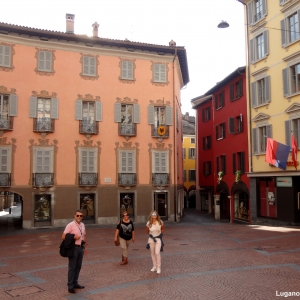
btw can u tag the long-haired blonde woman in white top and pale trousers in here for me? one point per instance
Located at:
(155, 229)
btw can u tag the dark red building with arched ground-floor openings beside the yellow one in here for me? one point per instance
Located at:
(222, 149)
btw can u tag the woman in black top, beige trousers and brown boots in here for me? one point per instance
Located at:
(125, 231)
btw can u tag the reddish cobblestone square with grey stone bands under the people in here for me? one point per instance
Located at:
(202, 259)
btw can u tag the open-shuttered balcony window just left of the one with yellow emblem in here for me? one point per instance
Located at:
(127, 115)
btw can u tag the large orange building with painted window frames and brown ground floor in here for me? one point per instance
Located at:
(90, 123)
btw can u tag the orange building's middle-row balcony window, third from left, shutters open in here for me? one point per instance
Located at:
(88, 113)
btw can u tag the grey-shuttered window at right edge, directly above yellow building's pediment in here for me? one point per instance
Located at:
(291, 80)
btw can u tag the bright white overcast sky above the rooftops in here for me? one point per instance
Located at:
(212, 53)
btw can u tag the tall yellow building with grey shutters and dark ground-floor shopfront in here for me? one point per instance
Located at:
(273, 77)
